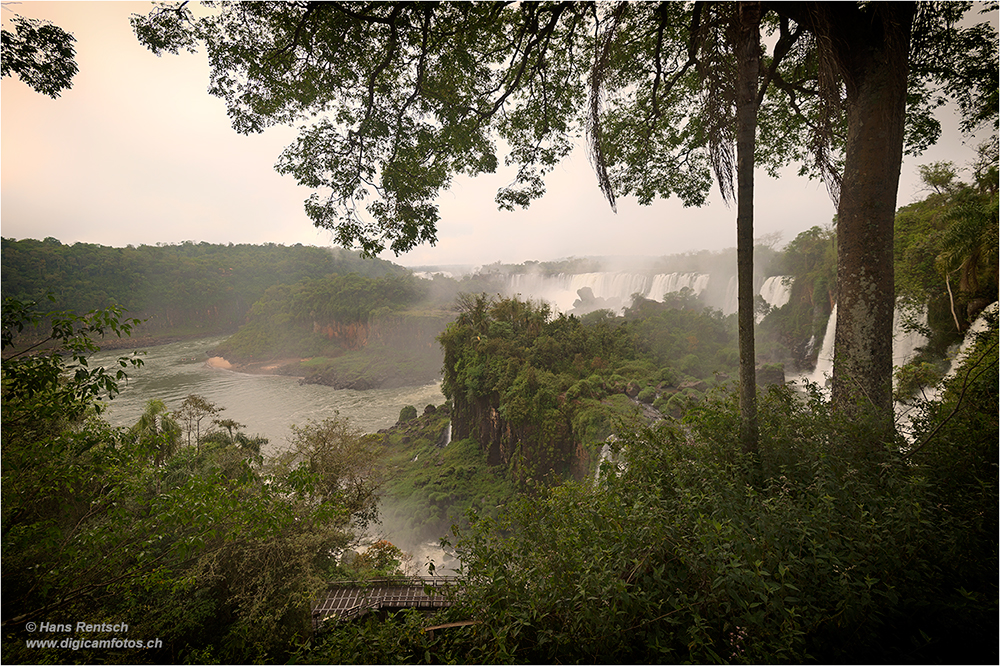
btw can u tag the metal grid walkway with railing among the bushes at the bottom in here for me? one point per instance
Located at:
(345, 600)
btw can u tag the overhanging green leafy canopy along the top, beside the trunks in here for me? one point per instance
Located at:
(393, 99)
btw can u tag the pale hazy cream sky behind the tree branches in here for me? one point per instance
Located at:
(138, 152)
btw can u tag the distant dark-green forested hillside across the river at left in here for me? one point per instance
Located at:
(178, 289)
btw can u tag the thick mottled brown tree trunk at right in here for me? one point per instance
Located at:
(873, 52)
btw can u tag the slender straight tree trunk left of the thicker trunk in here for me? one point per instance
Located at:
(748, 68)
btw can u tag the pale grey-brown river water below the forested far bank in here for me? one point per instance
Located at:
(266, 404)
